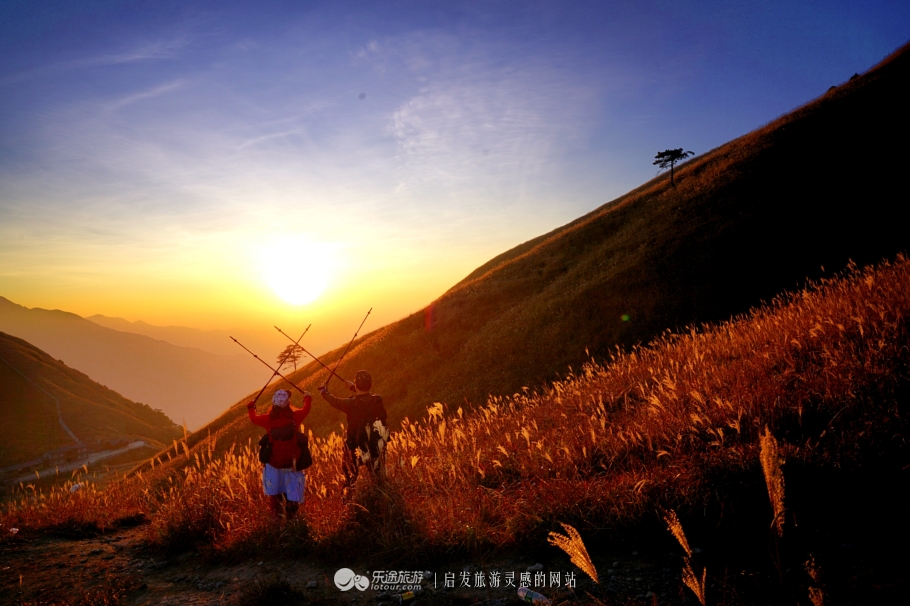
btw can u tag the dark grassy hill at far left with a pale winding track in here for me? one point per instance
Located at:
(93, 412)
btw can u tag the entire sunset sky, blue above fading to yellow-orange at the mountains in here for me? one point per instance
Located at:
(191, 163)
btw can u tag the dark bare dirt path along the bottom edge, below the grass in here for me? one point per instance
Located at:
(46, 569)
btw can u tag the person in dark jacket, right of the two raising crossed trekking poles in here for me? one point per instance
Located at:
(367, 432)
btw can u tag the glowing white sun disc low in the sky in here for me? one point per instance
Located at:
(297, 268)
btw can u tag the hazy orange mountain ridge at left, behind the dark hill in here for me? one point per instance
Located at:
(186, 383)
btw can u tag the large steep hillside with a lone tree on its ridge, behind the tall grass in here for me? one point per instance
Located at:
(793, 200)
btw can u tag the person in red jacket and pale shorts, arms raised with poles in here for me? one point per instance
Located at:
(281, 482)
